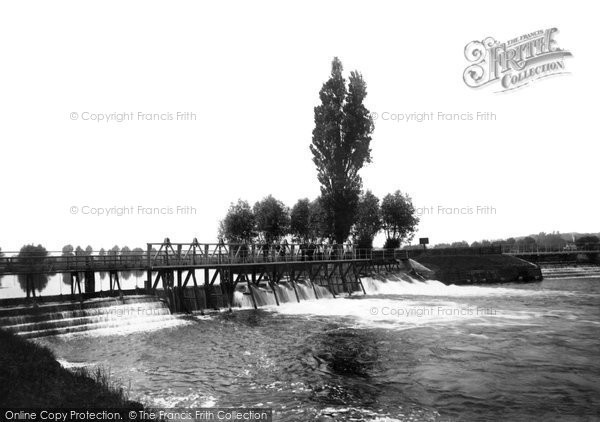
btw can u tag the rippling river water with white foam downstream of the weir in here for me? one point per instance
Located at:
(406, 351)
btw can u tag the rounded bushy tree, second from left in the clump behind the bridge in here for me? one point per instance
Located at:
(272, 219)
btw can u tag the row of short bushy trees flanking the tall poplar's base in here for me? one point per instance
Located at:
(270, 221)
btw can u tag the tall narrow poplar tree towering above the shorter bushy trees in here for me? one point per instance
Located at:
(341, 146)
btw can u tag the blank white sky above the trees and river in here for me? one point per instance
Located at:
(250, 74)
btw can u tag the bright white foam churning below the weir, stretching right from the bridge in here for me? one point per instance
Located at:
(402, 302)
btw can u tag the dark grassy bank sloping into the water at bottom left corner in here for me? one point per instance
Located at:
(30, 376)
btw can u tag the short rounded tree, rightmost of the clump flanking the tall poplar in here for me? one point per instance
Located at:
(399, 219)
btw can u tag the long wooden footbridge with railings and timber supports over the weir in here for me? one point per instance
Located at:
(196, 276)
